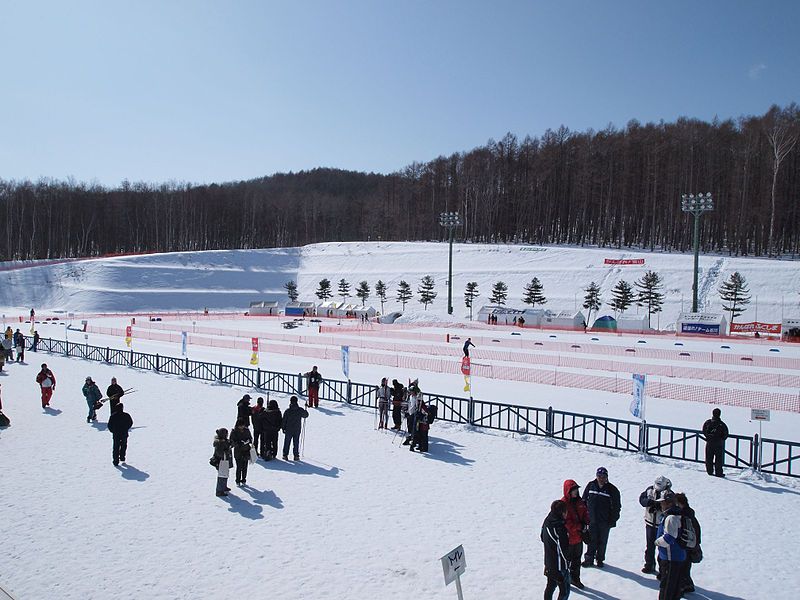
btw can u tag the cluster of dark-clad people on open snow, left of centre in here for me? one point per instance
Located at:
(243, 447)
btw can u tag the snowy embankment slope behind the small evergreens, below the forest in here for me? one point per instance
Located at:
(230, 279)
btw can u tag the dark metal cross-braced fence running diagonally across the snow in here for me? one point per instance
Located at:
(779, 457)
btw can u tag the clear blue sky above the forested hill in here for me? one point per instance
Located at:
(204, 91)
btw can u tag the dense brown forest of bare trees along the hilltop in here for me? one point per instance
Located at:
(616, 187)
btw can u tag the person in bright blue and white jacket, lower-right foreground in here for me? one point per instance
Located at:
(671, 555)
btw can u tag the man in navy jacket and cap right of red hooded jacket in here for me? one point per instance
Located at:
(603, 501)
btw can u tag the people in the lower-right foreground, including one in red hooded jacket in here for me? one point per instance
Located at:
(671, 527)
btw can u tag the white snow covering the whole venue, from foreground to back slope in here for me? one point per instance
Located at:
(359, 516)
